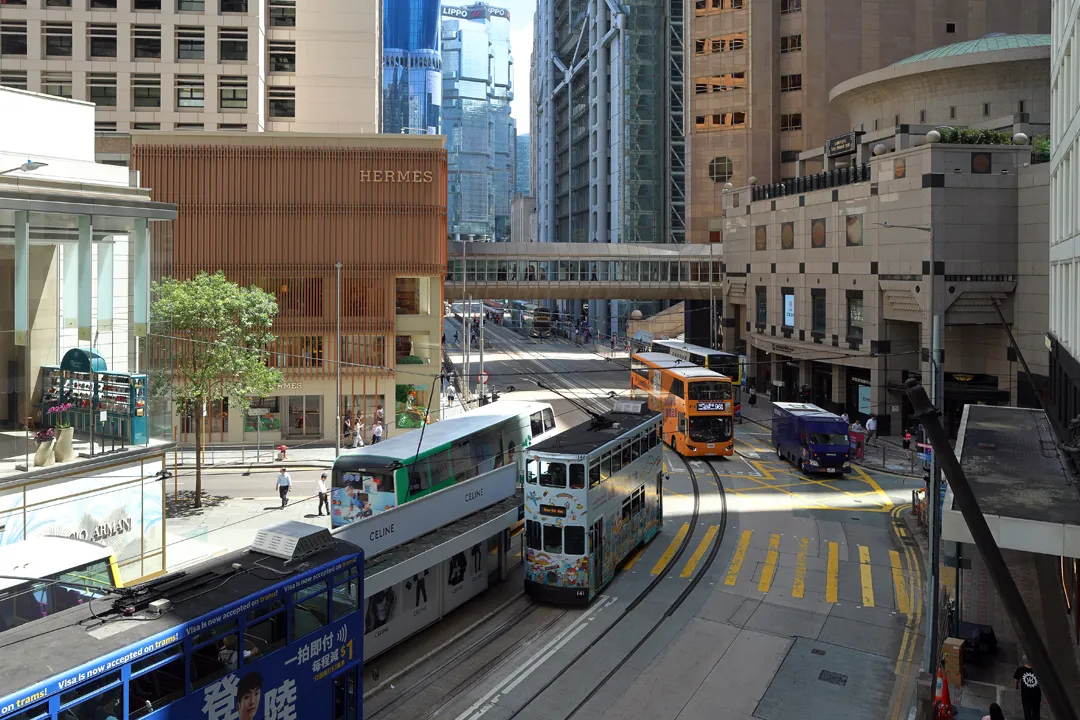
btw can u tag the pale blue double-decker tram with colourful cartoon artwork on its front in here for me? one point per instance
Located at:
(592, 496)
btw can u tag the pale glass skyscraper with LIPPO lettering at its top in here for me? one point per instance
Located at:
(478, 88)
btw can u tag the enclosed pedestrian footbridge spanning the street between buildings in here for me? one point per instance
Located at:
(582, 271)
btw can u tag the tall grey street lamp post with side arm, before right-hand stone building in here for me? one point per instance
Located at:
(937, 391)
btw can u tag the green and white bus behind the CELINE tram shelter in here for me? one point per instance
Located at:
(381, 477)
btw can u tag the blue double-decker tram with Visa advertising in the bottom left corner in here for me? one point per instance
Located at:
(272, 633)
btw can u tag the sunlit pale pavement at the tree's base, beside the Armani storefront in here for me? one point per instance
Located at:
(224, 525)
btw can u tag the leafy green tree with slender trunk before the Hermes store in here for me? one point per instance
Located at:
(222, 332)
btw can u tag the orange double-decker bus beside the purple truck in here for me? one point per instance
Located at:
(697, 403)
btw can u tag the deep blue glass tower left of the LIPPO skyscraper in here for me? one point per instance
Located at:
(412, 67)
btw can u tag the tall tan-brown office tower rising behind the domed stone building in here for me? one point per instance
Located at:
(760, 75)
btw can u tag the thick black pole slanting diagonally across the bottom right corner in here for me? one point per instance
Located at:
(1004, 582)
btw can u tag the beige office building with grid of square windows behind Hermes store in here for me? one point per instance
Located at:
(183, 65)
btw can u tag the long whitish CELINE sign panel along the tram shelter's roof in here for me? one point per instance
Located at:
(418, 518)
